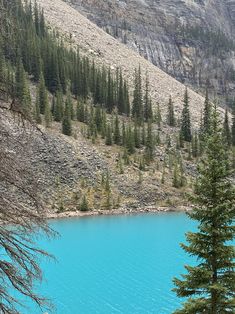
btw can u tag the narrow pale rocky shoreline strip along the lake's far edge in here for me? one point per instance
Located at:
(113, 212)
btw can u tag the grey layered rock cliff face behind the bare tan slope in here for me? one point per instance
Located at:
(190, 40)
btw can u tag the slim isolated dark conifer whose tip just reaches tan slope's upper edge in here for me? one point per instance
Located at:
(185, 129)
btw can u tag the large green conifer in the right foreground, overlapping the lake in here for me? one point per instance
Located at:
(209, 285)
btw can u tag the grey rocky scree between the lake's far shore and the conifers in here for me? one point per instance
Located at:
(64, 169)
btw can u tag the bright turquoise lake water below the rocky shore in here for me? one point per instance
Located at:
(115, 264)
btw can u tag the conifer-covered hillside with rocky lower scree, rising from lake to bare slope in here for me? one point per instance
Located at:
(118, 149)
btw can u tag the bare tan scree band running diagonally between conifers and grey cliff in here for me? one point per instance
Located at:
(108, 51)
